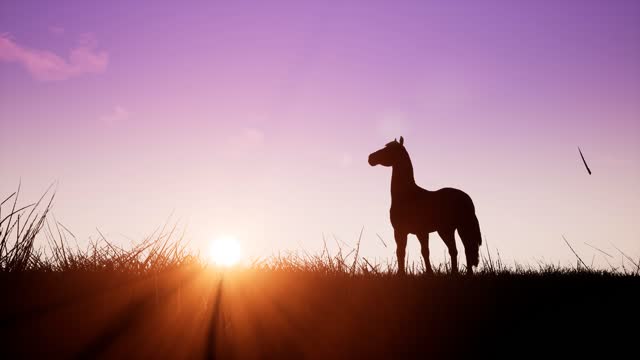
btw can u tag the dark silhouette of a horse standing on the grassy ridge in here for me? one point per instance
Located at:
(417, 211)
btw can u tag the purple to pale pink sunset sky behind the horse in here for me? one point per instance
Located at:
(255, 119)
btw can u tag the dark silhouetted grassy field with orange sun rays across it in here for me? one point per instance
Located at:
(156, 301)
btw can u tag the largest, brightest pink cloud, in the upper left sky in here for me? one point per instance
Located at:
(44, 65)
